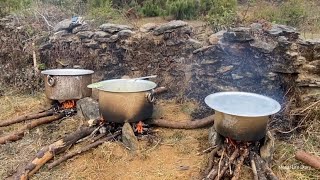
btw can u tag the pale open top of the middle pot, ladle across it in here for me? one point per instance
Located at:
(142, 86)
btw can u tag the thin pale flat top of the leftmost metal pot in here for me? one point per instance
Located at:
(67, 72)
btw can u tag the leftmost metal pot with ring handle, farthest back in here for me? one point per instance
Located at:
(67, 84)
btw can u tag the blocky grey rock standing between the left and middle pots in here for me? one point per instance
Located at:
(88, 108)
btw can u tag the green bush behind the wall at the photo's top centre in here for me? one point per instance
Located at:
(182, 9)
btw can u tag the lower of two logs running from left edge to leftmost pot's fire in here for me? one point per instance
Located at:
(20, 132)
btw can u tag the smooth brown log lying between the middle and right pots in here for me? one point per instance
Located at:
(197, 123)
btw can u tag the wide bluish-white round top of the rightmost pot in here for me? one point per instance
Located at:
(242, 104)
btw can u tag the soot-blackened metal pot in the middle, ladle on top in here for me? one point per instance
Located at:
(126, 100)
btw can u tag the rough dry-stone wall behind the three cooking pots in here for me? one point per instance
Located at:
(268, 59)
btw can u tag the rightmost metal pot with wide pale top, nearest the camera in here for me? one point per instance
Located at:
(240, 115)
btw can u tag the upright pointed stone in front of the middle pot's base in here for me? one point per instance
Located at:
(128, 137)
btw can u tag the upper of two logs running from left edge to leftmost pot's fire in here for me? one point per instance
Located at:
(25, 118)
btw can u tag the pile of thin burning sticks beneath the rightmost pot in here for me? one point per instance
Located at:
(227, 158)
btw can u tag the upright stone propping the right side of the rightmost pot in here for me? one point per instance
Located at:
(267, 149)
